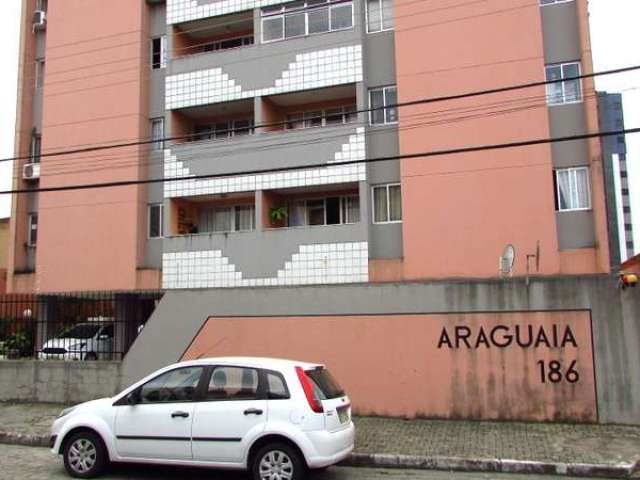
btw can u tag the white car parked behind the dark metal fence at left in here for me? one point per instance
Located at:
(84, 341)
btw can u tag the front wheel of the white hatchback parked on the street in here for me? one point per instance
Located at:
(85, 456)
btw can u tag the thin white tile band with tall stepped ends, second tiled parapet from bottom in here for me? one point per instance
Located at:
(354, 150)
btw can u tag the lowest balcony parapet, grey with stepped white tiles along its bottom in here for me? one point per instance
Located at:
(297, 256)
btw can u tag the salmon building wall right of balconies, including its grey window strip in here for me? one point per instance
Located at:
(461, 210)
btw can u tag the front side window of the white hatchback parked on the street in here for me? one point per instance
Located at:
(175, 386)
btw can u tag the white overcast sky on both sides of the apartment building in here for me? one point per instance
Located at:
(614, 32)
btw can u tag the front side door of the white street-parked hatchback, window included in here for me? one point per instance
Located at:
(158, 425)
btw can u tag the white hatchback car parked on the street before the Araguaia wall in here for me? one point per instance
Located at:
(276, 418)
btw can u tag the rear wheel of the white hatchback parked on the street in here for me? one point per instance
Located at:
(278, 461)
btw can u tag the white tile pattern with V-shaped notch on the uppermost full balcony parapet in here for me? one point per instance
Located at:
(325, 68)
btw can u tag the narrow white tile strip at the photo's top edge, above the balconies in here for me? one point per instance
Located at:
(187, 10)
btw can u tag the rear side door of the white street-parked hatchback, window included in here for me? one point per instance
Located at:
(233, 411)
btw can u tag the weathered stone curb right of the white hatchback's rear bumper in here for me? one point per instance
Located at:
(492, 465)
